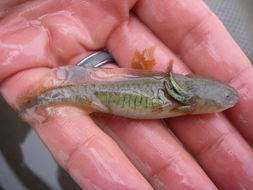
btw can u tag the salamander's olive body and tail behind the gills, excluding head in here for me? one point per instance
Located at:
(144, 97)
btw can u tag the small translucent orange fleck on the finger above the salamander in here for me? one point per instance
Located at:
(144, 60)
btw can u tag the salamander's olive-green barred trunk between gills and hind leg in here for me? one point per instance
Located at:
(134, 100)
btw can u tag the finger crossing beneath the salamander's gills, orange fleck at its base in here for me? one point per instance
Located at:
(211, 133)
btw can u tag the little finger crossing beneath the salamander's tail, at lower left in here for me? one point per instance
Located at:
(77, 144)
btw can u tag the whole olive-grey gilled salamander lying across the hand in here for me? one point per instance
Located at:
(134, 93)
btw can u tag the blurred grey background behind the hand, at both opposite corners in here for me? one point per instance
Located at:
(23, 157)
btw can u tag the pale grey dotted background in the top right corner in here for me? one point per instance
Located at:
(237, 16)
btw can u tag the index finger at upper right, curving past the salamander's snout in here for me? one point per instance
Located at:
(191, 30)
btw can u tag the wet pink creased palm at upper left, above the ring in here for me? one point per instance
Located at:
(30, 37)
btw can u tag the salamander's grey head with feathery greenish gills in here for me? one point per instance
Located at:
(201, 95)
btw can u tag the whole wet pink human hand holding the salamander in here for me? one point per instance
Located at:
(157, 160)
